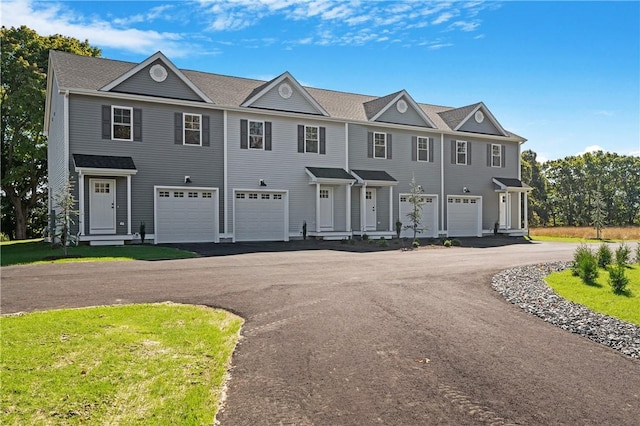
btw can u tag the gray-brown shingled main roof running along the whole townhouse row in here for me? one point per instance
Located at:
(85, 73)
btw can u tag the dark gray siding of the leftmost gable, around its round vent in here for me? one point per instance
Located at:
(142, 84)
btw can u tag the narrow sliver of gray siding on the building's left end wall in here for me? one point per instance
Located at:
(57, 172)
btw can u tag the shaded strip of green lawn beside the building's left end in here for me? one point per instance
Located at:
(37, 251)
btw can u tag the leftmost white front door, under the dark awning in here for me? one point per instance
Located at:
(102, 206)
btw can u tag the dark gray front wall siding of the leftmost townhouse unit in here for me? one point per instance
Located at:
(158, 159)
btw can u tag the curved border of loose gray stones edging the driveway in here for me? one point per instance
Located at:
(525, 287)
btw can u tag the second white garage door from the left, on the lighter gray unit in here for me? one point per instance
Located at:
(260, 216)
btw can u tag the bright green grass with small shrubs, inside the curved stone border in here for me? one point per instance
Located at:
(599, 297)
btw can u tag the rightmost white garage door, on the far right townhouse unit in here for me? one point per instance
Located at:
(464, 216)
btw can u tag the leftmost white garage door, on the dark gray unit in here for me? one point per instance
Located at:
(186, 215)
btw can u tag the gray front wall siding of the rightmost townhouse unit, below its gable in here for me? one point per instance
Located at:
(478, 177)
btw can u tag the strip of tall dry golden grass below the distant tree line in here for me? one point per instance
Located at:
(584, 234)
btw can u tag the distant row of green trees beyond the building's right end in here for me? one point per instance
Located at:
(567, 191)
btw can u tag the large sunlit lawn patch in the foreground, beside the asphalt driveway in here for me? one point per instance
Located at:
(132, 364)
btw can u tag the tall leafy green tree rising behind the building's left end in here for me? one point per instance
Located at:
(24, 65)
